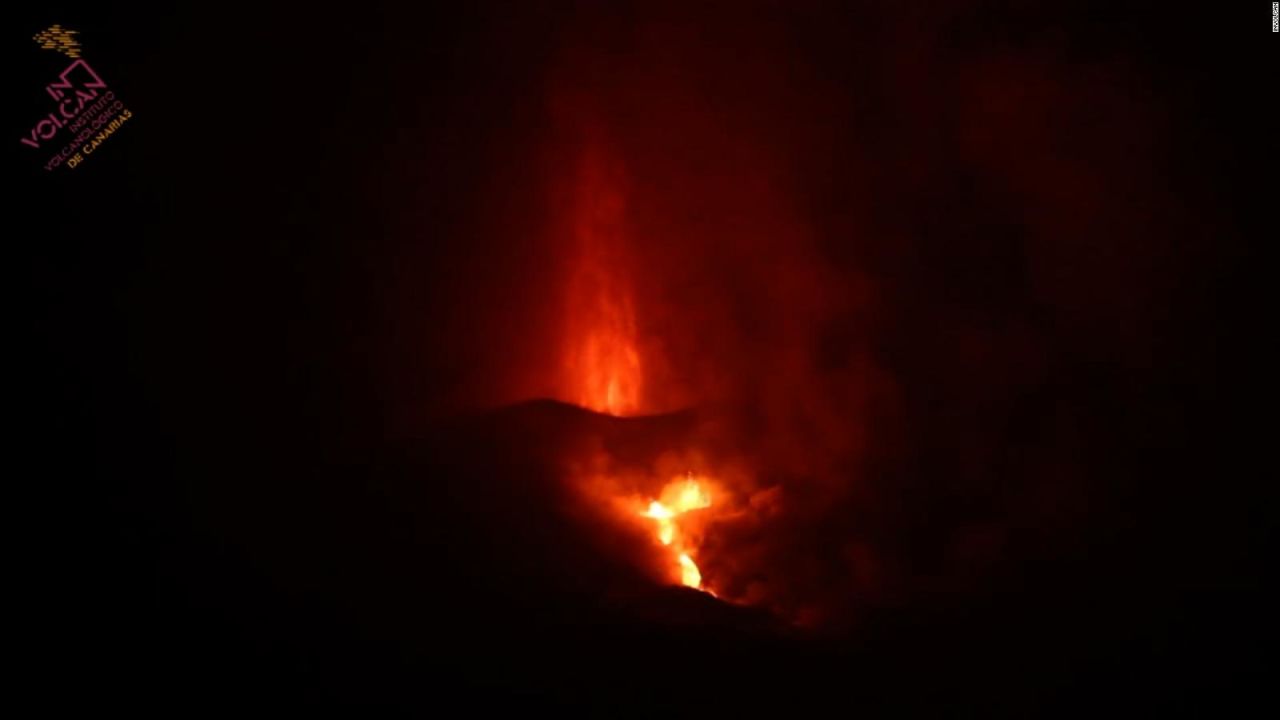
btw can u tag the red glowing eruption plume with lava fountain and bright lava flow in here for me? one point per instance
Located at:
(688, 280)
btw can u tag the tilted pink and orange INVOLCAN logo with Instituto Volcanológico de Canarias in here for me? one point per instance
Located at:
(84, 112)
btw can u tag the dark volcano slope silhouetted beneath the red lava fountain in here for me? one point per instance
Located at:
(458, 571)
